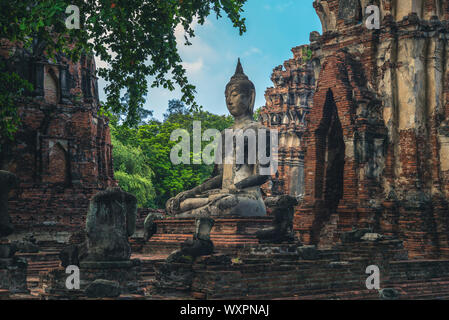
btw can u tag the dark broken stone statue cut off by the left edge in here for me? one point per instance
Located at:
(7, 182)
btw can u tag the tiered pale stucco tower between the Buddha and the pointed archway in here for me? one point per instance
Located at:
(287, 104)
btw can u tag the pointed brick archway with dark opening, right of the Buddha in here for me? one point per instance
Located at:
(343, 126)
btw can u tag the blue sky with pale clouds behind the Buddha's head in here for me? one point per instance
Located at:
(273, 28)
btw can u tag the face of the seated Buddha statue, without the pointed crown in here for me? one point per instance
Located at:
(239, 100)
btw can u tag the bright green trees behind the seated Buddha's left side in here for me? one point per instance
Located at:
(153, 138)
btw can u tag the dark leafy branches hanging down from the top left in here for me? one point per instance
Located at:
(136, 38)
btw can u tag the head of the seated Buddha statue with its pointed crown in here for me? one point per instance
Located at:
(240, 94)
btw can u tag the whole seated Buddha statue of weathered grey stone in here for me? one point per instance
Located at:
(235, 188)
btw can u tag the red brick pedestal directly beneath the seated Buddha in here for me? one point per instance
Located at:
(228, 234)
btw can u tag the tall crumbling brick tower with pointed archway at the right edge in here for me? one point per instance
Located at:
(377, 138)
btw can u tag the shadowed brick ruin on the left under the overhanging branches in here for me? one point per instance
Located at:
(62, 153)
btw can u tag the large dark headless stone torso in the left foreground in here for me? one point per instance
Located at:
(110, 221)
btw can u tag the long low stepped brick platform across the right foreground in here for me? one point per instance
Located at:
(289, 272)
